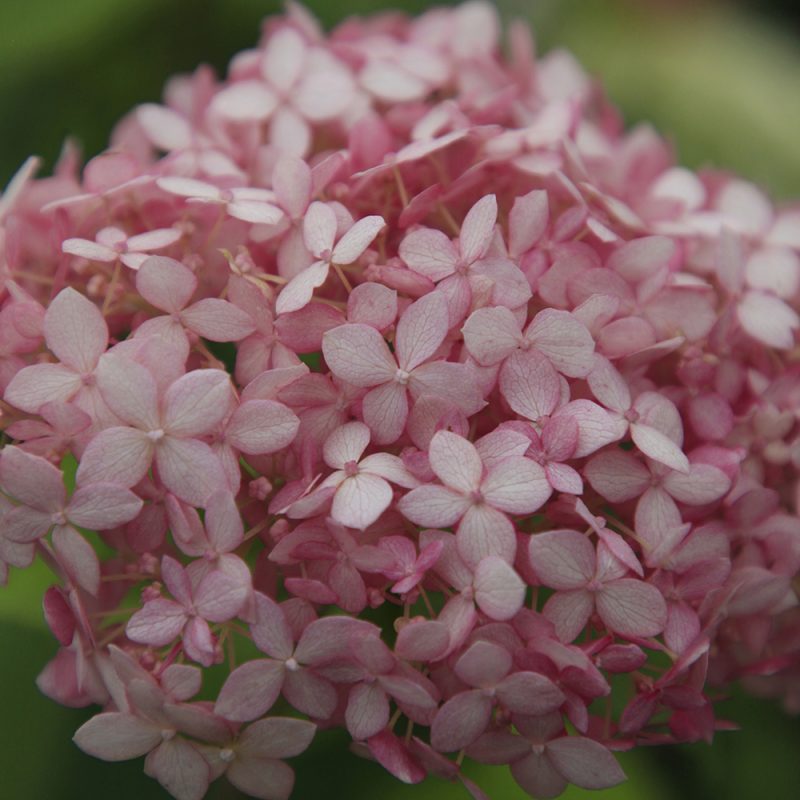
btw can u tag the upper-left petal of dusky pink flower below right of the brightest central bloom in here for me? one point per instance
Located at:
(563, 559)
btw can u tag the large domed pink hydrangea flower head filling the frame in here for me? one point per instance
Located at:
(393, 373)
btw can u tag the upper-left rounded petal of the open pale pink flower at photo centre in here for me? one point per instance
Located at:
(359, 355)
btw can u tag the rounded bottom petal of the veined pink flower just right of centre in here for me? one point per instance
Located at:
(530, 385)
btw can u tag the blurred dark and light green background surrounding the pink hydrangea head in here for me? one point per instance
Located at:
(721, 80)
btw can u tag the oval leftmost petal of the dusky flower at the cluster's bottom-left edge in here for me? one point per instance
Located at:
(114, 736)
